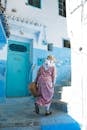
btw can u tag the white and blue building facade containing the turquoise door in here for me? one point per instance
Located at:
(35, 29)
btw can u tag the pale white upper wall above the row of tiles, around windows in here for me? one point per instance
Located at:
(47, 15)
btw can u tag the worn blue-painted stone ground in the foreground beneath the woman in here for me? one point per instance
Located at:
(17, 114)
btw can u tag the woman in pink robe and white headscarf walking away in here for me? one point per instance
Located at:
(45, 81)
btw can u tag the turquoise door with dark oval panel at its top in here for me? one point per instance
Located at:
(18, 67)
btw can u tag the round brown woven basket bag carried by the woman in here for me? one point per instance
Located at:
(33, 88)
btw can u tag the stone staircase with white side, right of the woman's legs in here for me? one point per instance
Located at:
(62, 97)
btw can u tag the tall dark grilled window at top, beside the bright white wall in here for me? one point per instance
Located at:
(62, 7)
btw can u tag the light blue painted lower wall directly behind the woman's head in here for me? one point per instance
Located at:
(63, 64)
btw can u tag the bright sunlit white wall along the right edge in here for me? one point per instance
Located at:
(78, 35)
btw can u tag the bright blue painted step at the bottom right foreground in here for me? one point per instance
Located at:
(59, 122)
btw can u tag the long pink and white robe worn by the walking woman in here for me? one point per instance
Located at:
(45, 80)
